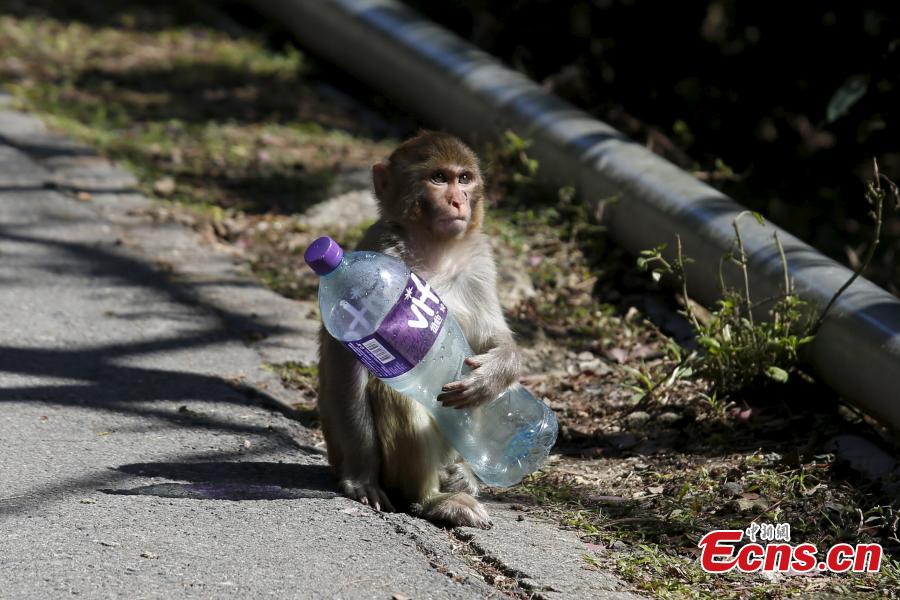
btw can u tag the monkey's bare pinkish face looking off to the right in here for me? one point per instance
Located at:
(448, 197)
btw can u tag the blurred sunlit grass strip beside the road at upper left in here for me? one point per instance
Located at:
(200, 116)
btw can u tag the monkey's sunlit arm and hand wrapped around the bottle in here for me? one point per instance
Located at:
(497, 364)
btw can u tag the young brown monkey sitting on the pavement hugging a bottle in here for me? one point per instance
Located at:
(385, 448)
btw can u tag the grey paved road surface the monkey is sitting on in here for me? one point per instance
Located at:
(145, 451)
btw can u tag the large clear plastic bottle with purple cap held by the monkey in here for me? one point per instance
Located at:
(397, 327)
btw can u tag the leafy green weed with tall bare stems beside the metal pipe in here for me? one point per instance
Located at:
(737, 350)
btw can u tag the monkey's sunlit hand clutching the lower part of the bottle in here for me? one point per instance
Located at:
(492, 373)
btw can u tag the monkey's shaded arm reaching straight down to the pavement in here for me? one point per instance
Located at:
(348, 424)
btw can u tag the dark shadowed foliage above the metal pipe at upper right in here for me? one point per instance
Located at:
(736, 91)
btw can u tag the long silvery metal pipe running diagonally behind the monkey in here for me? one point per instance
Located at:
(455, 86)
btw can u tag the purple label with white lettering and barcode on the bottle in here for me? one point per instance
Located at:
(406, 334)
